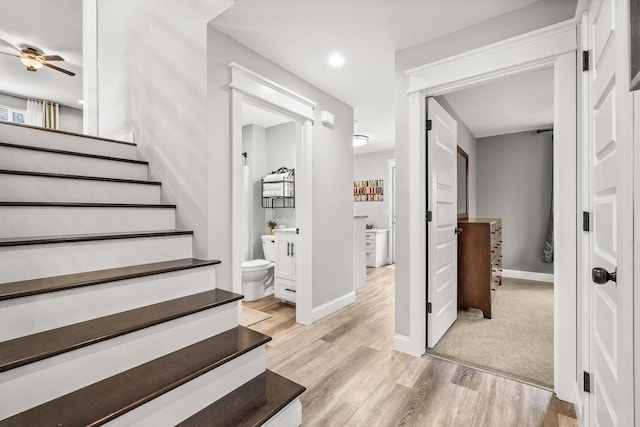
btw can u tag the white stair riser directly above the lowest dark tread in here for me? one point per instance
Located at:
(184, 401)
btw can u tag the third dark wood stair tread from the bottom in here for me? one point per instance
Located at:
(35, 347)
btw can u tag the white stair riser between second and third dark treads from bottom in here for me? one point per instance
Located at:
(31, 385)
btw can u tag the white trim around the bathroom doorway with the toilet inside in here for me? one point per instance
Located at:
(248, 85)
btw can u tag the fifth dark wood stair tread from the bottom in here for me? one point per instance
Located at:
(67, 238)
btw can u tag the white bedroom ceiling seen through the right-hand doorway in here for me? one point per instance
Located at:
(513, 104)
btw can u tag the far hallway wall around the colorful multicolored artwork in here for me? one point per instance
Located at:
(373, 166)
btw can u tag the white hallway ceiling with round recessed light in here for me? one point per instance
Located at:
(301, 35)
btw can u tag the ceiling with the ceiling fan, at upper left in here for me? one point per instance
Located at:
(55, 27)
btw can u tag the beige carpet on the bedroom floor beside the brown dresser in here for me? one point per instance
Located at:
(517, 341)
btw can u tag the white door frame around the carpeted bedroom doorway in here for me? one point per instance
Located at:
(552, 46)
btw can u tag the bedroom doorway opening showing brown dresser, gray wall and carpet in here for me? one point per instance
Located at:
(504, 245)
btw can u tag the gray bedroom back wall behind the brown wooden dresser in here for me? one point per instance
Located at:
(515, 181)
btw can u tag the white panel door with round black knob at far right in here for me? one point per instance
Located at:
(605, 173)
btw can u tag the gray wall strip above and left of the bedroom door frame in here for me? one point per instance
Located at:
(534, 16)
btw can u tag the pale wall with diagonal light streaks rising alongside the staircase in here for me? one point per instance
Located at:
(156, 80)
